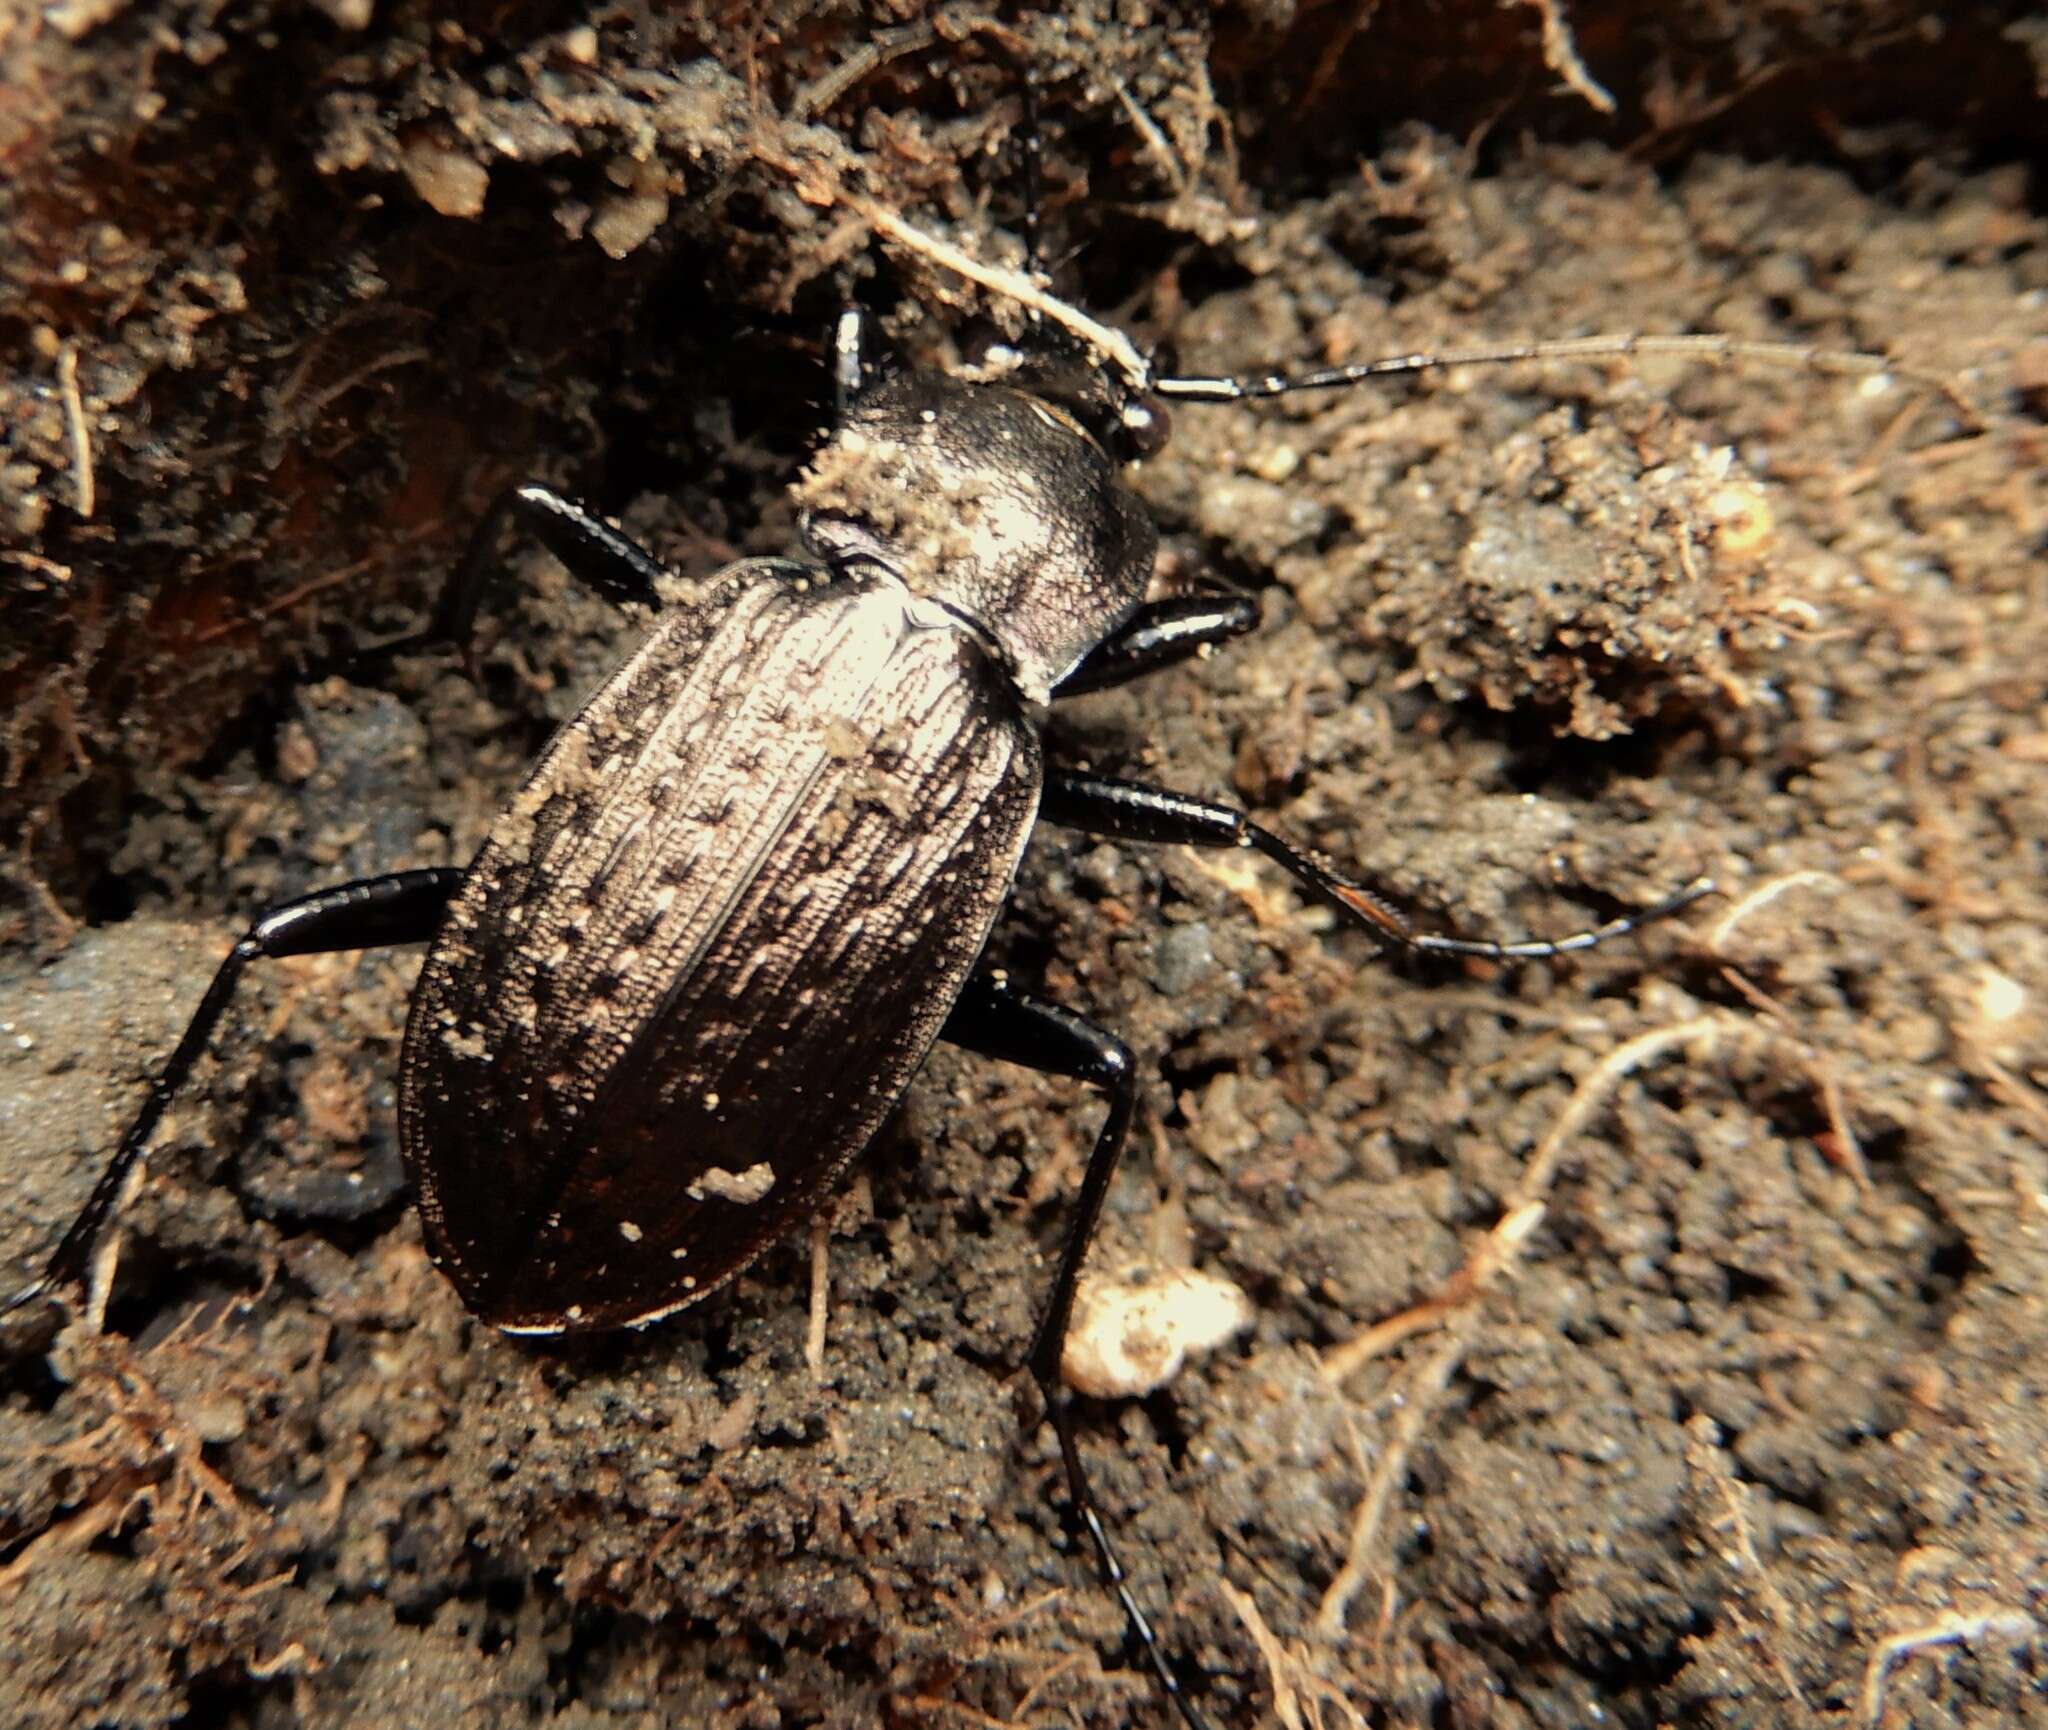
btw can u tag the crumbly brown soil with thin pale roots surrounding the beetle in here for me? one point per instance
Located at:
(1654, 1336)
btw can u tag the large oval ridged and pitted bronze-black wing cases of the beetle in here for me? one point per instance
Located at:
(742, 890)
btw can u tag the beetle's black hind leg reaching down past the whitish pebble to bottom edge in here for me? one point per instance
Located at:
(1007, 1025)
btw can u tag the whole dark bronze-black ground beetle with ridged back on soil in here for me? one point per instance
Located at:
(749, 885)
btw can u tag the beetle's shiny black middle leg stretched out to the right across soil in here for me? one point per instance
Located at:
(1132, 812)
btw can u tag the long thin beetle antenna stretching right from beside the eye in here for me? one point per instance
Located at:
(1193, 388)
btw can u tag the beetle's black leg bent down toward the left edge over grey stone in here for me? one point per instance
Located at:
(404, 908)
